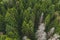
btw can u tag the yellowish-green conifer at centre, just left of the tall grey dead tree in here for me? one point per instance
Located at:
(28, 23)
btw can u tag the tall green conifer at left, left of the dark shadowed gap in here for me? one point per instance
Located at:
(11, 24)
